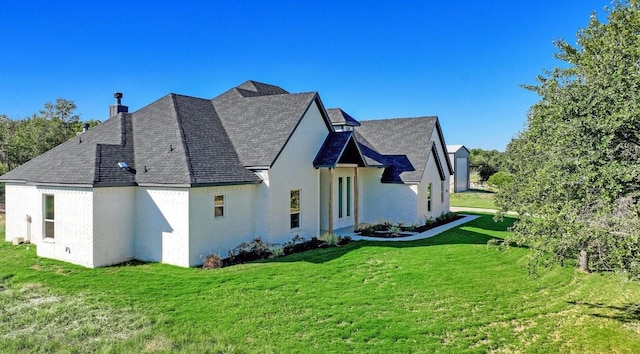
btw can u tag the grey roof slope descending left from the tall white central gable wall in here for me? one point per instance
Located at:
(259, 126)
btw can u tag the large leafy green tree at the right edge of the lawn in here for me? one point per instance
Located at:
(576, 165)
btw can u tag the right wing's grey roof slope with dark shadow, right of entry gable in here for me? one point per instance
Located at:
(402, 144)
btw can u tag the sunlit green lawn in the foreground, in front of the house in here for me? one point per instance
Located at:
(450, 293)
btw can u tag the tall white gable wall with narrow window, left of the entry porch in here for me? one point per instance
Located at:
(294, 170)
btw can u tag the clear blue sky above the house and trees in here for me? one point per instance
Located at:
(460, 60)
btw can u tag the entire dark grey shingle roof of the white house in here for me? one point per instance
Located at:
(181, 140)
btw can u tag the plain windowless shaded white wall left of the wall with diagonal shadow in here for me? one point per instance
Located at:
(113, 226)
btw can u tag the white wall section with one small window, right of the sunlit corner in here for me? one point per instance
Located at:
(211, 235)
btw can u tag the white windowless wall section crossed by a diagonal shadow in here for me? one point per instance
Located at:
(161, 225)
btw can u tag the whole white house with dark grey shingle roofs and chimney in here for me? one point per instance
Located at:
(185, 177)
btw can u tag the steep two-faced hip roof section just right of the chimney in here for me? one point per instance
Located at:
(180, 140)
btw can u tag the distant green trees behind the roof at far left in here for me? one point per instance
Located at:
(23, 139)
